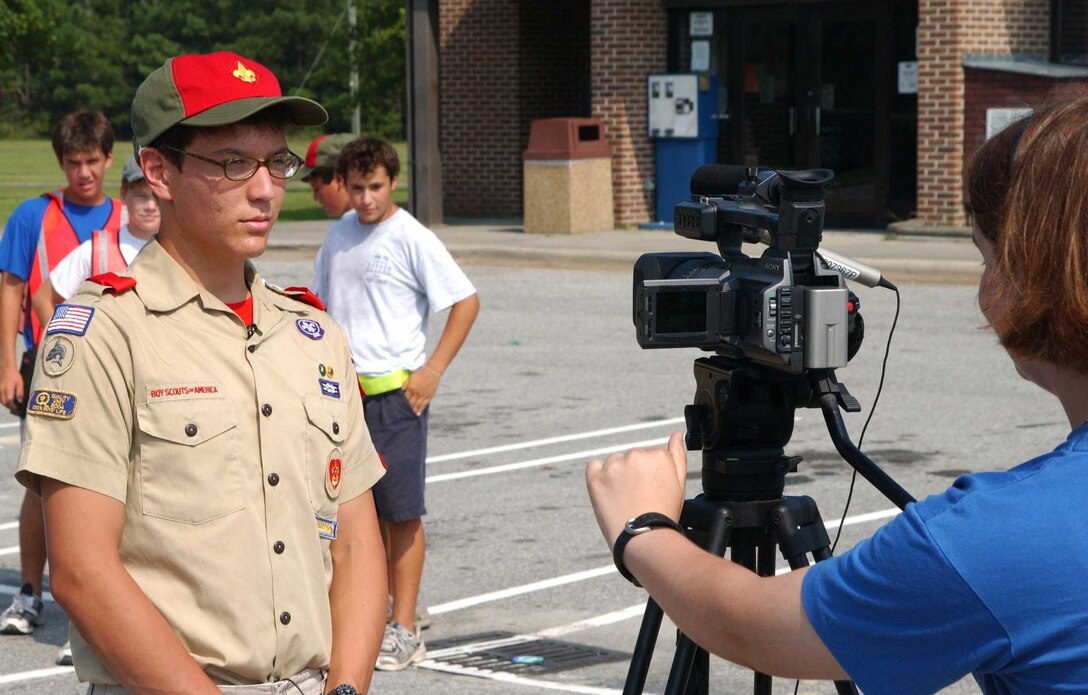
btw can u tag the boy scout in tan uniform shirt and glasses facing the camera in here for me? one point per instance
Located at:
(197, 437)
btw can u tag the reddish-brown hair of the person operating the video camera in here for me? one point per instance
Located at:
(1028, 193)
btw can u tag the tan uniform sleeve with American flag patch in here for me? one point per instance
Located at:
(79, 423)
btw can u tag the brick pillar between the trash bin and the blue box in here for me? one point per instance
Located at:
(629, 39)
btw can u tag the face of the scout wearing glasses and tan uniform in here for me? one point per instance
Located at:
(217, 219)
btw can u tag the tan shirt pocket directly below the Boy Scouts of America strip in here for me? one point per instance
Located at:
(190, 467)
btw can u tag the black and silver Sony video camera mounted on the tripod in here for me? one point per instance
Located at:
(788, 311)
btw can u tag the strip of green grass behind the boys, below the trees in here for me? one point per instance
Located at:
(30, 169)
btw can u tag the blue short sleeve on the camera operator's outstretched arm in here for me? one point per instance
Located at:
(898, 617)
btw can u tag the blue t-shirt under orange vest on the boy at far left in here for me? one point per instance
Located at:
(23, 229)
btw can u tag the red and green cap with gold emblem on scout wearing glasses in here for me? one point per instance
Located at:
(213, 90)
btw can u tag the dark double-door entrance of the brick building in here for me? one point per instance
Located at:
(811, 86)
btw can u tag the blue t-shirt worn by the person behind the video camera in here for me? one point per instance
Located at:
(990, 578)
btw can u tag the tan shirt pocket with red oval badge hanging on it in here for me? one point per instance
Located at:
(326, 433)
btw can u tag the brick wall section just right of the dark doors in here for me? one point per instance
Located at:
(948, 30)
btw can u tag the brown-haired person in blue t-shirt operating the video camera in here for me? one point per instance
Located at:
(985, 579)
